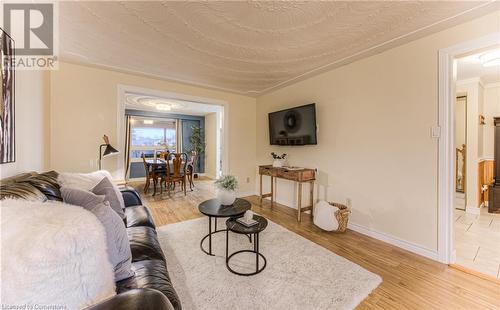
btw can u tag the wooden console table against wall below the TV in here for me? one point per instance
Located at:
(303, 175)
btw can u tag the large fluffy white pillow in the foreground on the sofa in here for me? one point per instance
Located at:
(53, 254)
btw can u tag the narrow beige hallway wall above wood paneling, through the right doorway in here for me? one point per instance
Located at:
(491, 109)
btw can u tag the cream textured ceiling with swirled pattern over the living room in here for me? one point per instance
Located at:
(244, 47)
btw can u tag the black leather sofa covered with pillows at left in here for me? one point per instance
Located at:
(151, 287)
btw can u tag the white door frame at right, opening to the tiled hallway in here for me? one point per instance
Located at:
(446, 174)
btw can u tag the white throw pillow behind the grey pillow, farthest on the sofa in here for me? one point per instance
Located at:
(87, 181)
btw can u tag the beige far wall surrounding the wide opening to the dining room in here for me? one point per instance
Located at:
(84, 107)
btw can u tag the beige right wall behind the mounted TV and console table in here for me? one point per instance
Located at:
(374, 142)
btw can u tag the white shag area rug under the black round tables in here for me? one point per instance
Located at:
(299, 274)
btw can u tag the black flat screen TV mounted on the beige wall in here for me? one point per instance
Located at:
(295, 126)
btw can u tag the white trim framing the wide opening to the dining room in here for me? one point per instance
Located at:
(120, 133)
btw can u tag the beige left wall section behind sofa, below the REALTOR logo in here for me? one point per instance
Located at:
(31, 114)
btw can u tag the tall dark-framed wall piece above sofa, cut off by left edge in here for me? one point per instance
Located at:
(7, 93)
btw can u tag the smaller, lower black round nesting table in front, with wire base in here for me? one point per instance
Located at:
(234, 226)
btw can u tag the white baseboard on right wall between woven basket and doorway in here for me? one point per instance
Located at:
(412, 247)
